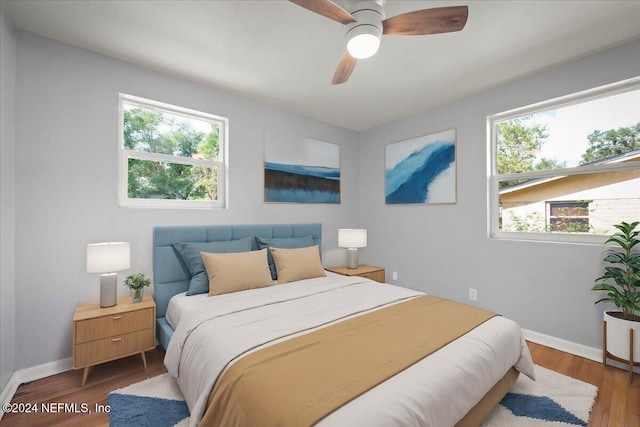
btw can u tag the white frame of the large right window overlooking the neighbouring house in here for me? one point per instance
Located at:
(493, 178)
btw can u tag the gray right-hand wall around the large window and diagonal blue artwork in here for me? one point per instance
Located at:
(444, 249)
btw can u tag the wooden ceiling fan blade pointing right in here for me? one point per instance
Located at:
(427, 21)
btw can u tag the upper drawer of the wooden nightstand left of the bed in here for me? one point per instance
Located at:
(112, 325)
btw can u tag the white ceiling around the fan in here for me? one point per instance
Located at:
(281, 54)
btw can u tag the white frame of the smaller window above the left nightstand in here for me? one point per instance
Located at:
(125, 154)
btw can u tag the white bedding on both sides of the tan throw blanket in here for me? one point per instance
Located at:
(211, 332)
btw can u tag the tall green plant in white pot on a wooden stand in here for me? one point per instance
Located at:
(621, 281)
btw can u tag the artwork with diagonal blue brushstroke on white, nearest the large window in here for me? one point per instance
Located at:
(421, 170)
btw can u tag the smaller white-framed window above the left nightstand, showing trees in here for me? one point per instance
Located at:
(171, 156)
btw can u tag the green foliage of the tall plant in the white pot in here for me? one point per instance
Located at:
(621, 280)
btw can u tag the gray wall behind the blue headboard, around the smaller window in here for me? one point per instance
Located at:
(66, 180)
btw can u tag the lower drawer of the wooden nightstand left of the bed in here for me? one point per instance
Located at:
(113, 347)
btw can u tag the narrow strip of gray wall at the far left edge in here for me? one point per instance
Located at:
(7, 196)
